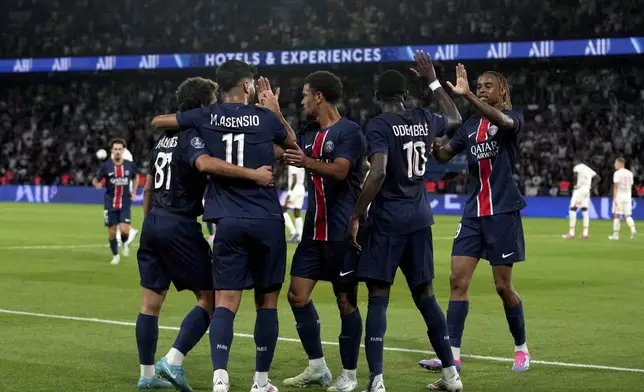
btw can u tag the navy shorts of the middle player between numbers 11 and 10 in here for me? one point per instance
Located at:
(330, 261)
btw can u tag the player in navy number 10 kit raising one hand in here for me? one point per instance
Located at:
(399, 222)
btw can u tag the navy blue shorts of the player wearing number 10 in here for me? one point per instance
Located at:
(383, 253)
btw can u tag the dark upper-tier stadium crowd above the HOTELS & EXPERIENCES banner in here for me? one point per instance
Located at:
(59, 28)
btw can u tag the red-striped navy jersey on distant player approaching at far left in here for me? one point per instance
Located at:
(117, 183)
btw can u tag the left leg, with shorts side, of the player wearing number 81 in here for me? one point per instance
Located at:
(155, 283)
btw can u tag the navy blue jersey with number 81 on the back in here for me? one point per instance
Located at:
(178, 187)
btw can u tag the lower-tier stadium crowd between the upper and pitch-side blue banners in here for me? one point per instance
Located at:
(51, 127)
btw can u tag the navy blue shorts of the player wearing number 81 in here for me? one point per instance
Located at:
(173, 249)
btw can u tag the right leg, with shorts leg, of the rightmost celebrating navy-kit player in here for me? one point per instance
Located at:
(505, 246)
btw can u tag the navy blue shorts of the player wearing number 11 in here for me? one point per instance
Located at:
(249, 254)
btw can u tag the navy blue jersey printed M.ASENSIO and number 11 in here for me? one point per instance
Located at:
(243, 135)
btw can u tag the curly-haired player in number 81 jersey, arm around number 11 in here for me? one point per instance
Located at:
(172, 247)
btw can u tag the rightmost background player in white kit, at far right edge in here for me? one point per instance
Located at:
(622, 198)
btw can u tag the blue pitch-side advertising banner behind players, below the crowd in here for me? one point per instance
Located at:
(538, 207)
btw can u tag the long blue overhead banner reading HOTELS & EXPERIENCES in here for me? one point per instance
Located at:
(386, 54)
